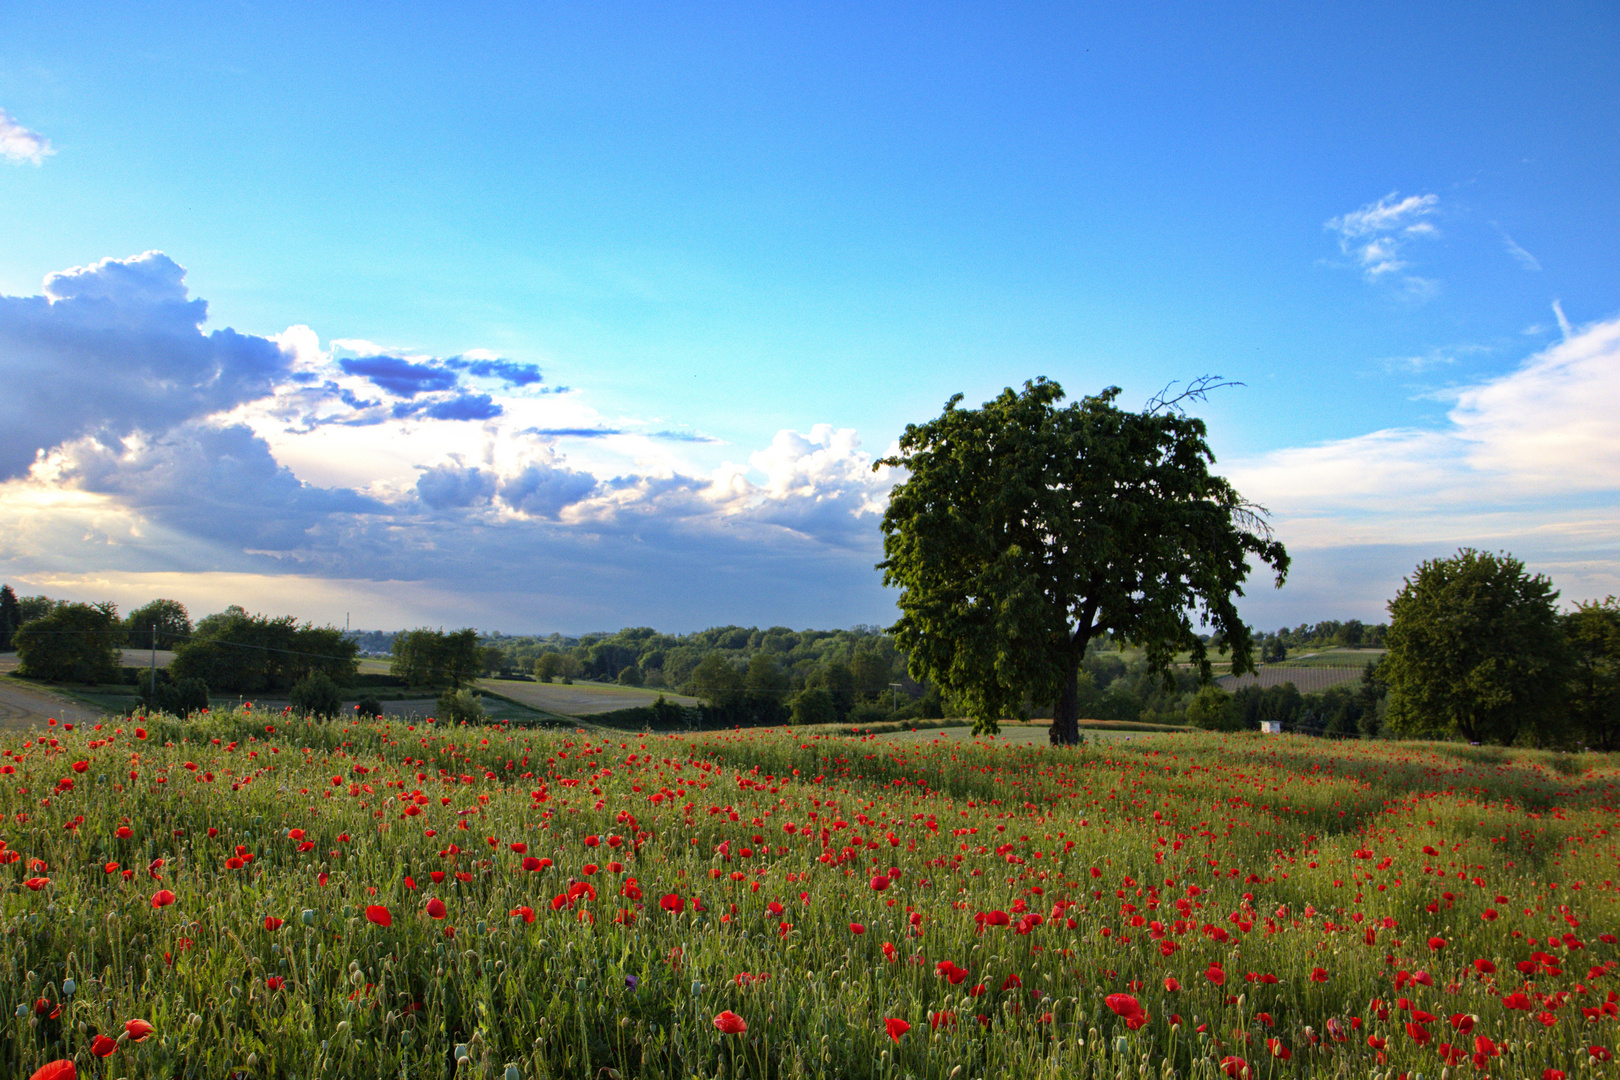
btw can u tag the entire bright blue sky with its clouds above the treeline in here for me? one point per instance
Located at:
(595, 315)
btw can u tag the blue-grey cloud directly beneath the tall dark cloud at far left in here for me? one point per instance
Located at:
(218, 485)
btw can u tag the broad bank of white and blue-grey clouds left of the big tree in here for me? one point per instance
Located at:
(135, 443)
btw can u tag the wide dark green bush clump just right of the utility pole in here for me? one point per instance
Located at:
(239, 653)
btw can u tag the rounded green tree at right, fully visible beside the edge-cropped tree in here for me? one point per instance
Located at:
(1475, 650)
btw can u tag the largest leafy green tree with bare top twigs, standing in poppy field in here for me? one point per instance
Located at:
(1026, 529)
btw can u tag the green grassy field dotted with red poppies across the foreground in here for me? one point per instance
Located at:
(257, 896)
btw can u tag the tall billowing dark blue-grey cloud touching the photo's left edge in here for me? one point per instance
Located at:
(117, 347)
